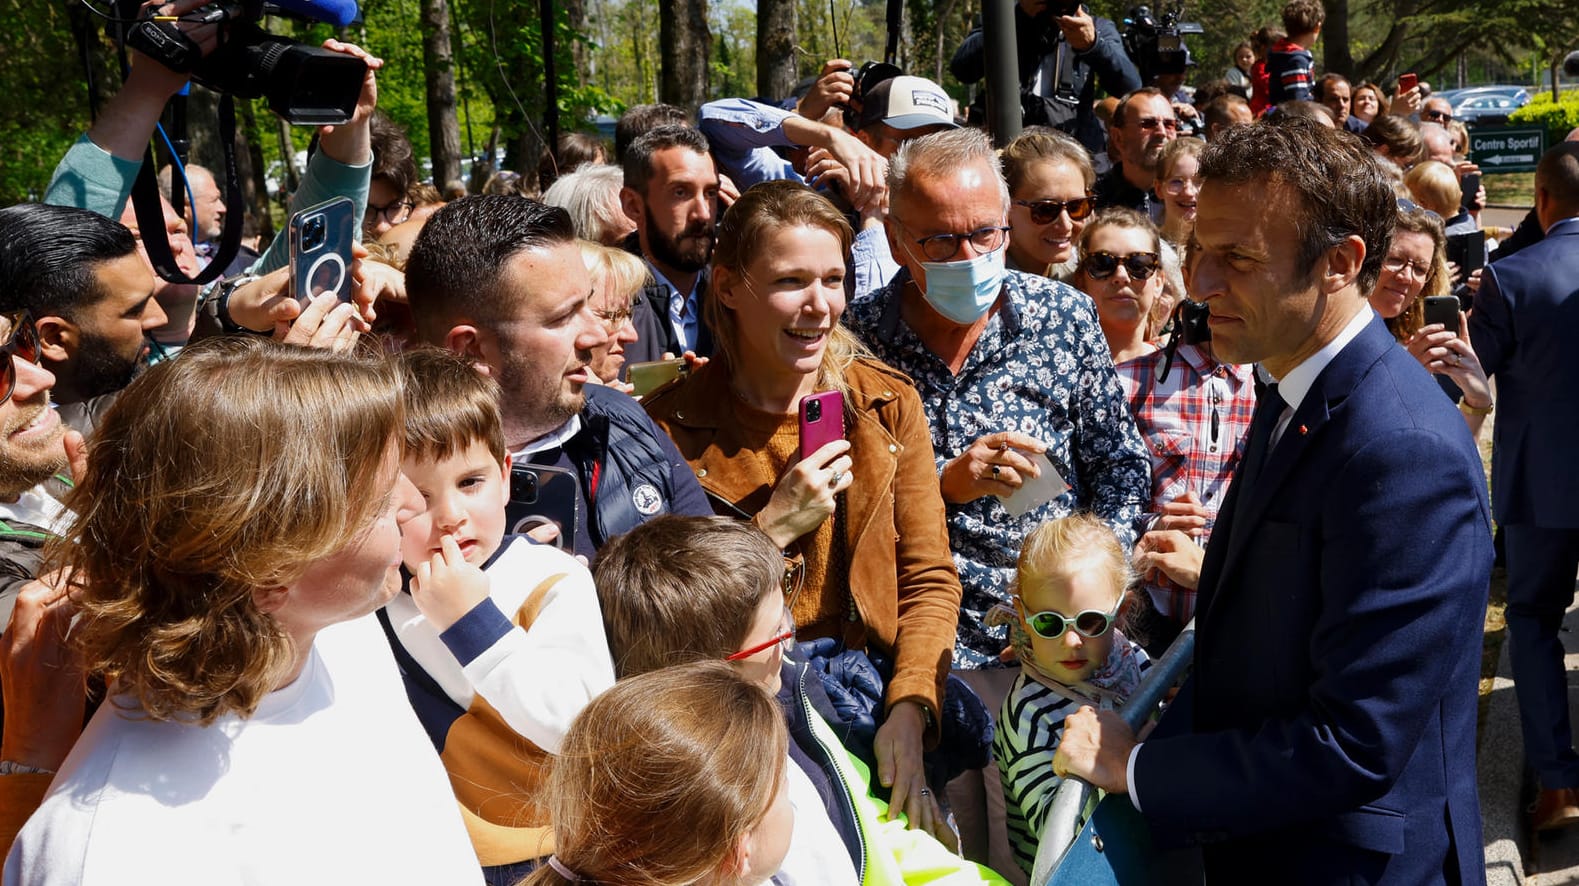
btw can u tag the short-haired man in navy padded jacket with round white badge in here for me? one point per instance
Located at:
(500, 280)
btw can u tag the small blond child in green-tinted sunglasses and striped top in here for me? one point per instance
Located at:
(1073, 593)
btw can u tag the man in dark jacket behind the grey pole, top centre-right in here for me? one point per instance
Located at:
(1063, 53)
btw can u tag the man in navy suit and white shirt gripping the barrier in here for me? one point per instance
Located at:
(1327, 734)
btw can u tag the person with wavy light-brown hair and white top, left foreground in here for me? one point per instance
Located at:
(238, 522)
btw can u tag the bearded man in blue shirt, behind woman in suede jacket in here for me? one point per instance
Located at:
(672, 193)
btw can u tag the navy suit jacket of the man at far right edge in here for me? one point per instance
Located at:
(1525, 332)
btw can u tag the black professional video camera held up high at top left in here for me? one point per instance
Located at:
(304, 84)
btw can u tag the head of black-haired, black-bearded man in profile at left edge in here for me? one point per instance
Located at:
(91, 296)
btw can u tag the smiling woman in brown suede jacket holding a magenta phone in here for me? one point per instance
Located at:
(863, 516)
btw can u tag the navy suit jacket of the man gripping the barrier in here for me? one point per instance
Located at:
(1327, 734)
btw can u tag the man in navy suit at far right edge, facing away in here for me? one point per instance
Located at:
(1525, 331)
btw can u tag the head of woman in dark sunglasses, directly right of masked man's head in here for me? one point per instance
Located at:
(1051, 179)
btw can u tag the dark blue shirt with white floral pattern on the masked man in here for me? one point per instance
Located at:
(1043, 369)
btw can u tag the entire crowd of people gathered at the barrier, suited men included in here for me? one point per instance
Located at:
(790, 494)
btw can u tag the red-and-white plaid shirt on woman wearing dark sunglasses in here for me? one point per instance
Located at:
(1195, 426)
